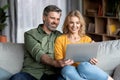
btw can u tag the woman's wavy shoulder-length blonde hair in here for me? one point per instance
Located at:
(81, 19)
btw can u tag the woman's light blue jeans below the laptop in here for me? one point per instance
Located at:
(84, 71)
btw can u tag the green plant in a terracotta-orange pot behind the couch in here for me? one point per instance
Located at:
(3, 17)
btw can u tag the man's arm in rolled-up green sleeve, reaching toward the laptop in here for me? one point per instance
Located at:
(34, 48)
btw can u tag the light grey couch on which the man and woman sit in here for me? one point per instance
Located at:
(12, 57)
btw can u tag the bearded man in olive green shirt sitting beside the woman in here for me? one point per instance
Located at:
(39, 63)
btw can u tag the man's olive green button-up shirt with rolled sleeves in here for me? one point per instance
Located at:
(37, 43)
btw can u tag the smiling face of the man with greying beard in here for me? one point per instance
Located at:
(52, 20)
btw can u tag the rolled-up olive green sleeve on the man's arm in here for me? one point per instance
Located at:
(33, 47)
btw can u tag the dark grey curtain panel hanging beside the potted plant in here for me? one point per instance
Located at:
(12, 25)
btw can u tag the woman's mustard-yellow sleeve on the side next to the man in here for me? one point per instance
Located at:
(58, 49)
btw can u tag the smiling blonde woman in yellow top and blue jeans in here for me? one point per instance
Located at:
(74, 33)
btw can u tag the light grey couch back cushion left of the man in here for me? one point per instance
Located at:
(11, 57)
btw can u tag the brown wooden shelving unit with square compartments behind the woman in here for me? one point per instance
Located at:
(102, 21)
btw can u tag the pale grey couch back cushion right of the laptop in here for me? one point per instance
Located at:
(109, 55)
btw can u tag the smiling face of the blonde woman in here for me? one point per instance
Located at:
(74, 25)
